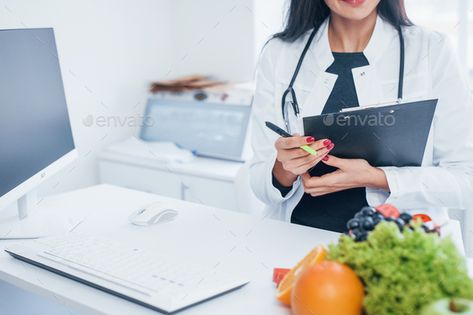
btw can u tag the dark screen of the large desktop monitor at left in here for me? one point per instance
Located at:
(34, 123)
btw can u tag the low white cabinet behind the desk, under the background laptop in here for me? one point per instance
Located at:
(212, 182)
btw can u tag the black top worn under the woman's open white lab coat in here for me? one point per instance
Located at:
(332, 211)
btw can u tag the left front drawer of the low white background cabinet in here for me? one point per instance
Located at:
(138, 178)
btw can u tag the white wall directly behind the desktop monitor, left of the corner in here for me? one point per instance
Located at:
(109, 51)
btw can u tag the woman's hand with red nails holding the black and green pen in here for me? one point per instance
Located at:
(292, 161)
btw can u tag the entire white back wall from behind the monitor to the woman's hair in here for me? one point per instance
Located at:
(110, 50)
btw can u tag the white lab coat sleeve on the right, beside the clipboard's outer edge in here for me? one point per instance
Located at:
(449, 181)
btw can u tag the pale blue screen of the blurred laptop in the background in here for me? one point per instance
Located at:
(207, 129)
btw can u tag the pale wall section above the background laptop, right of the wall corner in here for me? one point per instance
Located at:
(213, 37)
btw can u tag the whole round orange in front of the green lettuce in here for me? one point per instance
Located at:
(327, 288)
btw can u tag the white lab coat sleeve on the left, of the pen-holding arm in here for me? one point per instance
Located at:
(265, 108)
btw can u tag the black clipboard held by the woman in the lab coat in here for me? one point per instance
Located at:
(393, 135)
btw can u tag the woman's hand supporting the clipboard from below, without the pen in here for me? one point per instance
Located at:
(351, 173)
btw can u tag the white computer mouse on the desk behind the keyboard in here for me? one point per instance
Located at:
(153, 214)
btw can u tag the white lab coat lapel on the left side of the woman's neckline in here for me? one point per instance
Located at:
(320, 58)
